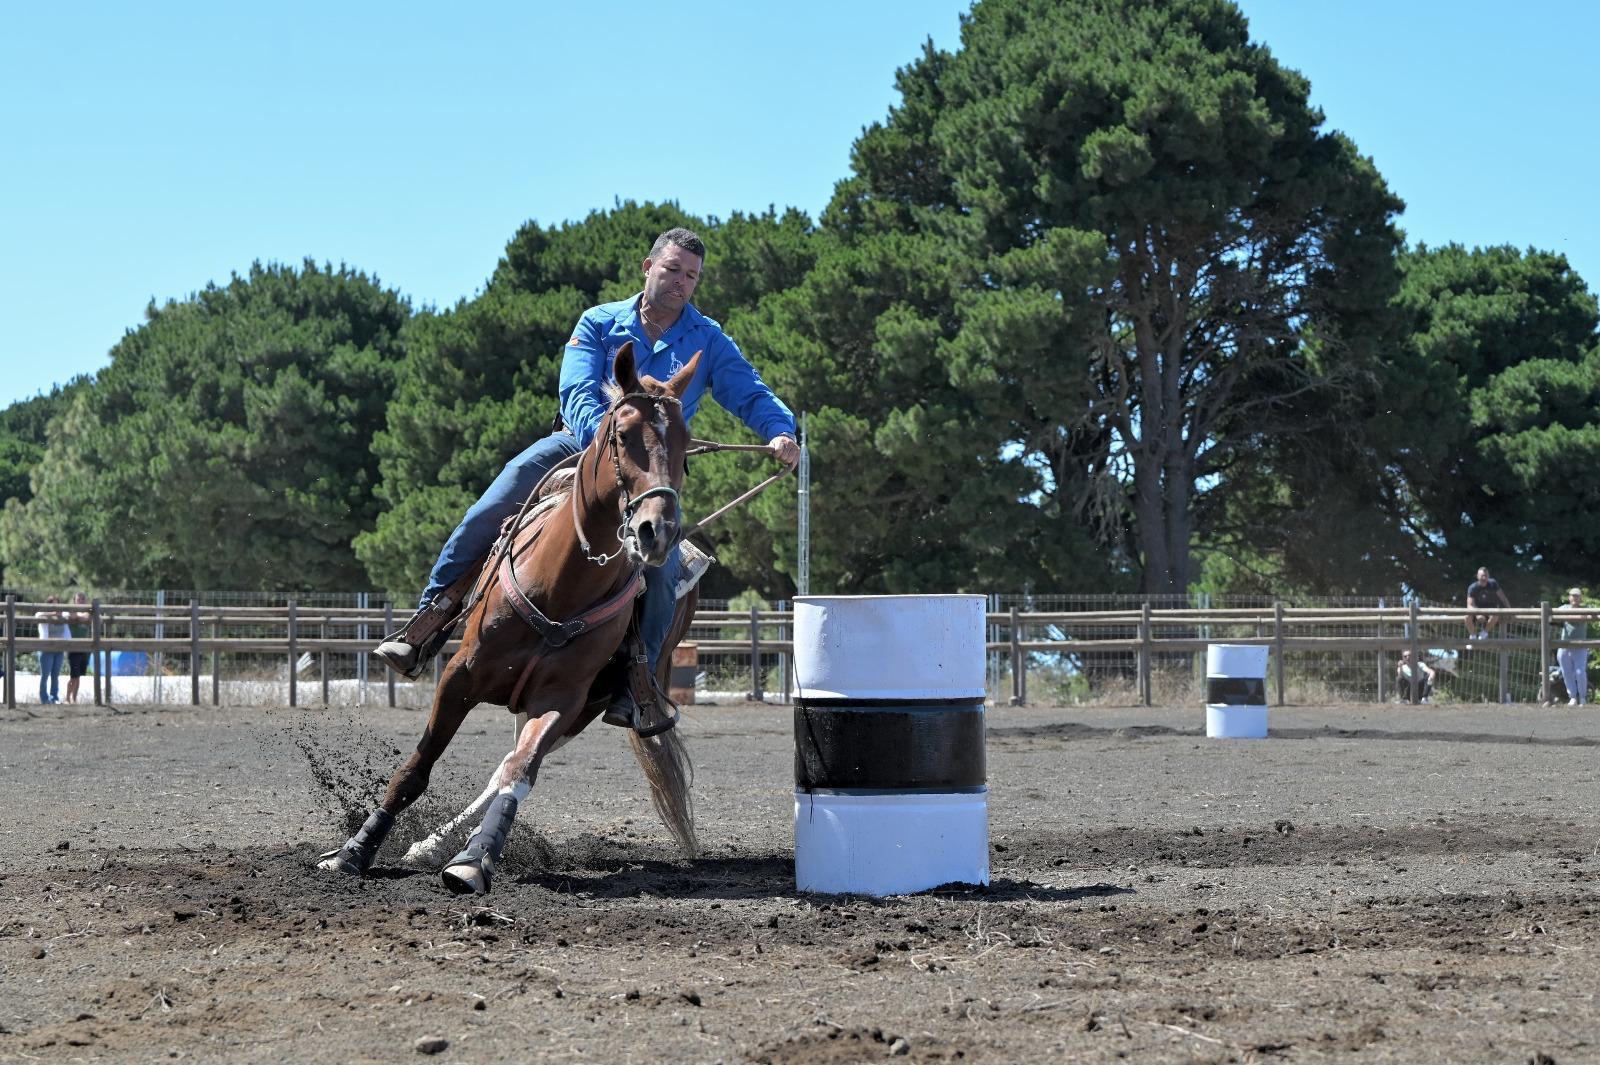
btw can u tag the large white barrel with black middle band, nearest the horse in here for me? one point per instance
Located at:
(890, 786)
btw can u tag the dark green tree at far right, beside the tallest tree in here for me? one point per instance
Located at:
(1494, 415)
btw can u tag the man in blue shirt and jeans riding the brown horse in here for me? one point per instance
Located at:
(666, 332)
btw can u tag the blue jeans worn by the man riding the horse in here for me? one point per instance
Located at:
(476, 536)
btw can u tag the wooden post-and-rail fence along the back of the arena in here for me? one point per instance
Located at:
(306, 631)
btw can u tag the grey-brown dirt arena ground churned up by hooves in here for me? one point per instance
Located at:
(1404, 885)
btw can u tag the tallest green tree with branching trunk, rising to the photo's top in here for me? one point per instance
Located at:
(1154, 255)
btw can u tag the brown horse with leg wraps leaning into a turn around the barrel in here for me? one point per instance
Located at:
(625, 490)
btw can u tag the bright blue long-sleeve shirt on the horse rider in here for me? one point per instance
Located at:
(724, 370)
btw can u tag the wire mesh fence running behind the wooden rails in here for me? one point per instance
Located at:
(738, 655)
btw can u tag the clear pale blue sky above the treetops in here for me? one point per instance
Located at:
(150, 150)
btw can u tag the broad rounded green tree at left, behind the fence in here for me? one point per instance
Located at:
(226, 445)
